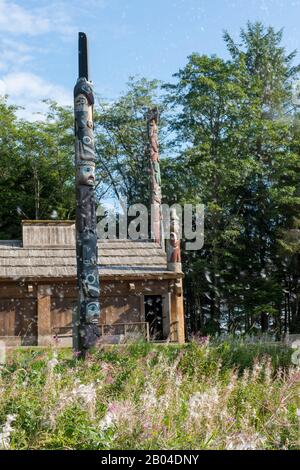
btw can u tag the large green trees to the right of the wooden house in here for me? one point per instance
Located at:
(237, 125)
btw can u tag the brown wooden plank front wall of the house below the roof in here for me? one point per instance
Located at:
(121, 302)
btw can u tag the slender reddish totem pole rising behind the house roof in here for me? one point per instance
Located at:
(152, 121)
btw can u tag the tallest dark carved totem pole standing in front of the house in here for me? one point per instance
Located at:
(86, 329)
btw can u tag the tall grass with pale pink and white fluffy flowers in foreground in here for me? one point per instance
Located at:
(141, 396)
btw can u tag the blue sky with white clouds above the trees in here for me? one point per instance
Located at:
(38, 40)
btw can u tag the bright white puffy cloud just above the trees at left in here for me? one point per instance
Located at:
(28, 90)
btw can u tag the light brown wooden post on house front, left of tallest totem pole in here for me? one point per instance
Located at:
(44, 315)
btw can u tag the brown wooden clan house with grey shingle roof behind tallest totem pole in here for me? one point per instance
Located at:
(38, 294)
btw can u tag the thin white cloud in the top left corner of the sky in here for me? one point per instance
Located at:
(16, 19)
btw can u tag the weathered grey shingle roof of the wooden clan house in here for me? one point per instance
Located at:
(47, 250)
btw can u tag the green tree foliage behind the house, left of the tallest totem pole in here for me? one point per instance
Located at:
(36, 168)
